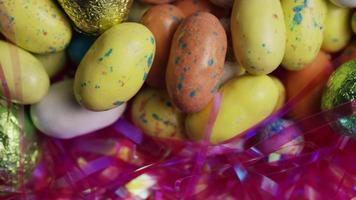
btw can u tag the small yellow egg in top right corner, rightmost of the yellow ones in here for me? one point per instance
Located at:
(337, 32)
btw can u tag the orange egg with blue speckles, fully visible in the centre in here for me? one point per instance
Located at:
(196, 61)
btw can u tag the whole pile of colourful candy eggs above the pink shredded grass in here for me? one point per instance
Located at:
(169, 59)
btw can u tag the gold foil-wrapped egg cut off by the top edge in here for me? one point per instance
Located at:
(95, 16)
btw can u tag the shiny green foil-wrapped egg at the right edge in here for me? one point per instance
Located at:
(341, 88)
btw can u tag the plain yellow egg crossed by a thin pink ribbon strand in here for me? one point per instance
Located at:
(245, 101)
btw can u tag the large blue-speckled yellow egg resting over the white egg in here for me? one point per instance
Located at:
(115, 67)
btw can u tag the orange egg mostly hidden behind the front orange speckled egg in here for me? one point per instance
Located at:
(162, 20)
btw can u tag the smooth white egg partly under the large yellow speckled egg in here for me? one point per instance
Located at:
(59, 115)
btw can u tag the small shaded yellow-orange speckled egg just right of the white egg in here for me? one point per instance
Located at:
(155, 114)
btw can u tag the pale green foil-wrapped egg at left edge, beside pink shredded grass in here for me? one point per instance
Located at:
(19, 149)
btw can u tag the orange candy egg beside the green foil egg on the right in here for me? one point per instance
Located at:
(295, 81)
